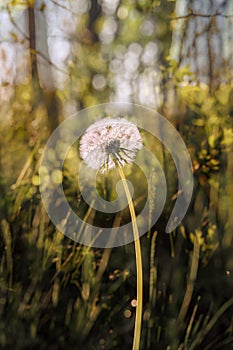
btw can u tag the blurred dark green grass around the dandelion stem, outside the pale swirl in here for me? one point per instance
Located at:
(56, 293)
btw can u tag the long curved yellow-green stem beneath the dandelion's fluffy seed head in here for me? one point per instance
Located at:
(138, 318)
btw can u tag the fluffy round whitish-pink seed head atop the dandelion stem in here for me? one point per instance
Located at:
(110, 141)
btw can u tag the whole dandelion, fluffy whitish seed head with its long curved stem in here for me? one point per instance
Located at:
(110, 143)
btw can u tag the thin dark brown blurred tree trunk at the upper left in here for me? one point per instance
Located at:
(40, 93)
